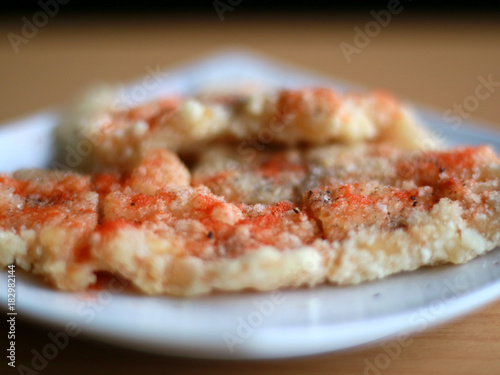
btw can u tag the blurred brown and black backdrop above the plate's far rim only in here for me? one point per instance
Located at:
(426, 51)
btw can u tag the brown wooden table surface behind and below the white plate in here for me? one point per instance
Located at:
(435, 61)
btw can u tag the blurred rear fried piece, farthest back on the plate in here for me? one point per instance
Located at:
(117, 135)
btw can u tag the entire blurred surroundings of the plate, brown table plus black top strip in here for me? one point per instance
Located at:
(435, 53)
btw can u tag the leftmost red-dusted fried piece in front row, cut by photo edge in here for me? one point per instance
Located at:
(46, 219)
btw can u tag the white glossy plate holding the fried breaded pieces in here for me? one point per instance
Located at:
(252, 325)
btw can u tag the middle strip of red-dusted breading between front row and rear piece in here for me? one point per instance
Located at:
(274, 175)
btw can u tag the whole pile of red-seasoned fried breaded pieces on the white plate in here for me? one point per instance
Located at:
(291, 188)
